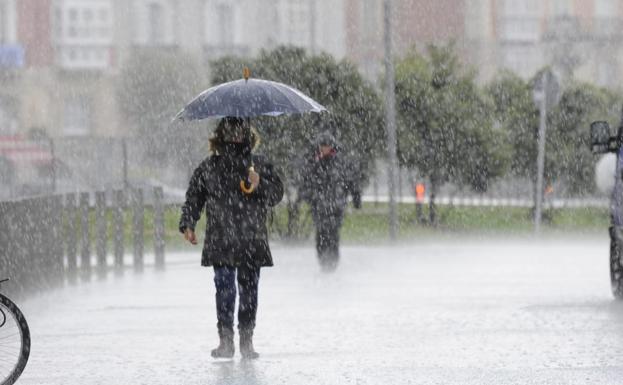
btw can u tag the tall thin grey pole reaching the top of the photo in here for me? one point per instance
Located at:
(390, 118)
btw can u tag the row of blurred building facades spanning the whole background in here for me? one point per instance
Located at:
(60, 59)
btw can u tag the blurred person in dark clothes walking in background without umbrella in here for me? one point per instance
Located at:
(327, 179)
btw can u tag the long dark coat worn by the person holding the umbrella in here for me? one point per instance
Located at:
(236, 230)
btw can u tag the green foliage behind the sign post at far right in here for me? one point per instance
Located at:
(567, 152)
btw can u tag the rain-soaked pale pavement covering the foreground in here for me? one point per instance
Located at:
(471, 312)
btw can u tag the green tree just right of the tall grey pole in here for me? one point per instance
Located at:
(445, 130)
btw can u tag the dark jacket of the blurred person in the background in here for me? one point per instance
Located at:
(327, 182)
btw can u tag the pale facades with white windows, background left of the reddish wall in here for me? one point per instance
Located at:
(60, 59)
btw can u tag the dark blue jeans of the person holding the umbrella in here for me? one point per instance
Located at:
(225, 282)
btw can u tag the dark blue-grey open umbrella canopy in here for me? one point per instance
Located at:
(247, 98)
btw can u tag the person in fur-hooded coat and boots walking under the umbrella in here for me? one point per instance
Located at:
(237, 189)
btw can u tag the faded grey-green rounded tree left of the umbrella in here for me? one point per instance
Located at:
(153, 85)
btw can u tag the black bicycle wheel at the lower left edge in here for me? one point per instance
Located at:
(14, 341)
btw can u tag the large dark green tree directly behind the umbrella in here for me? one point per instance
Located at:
(355, 111)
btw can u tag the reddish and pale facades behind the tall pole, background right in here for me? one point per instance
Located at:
(578, 38)
